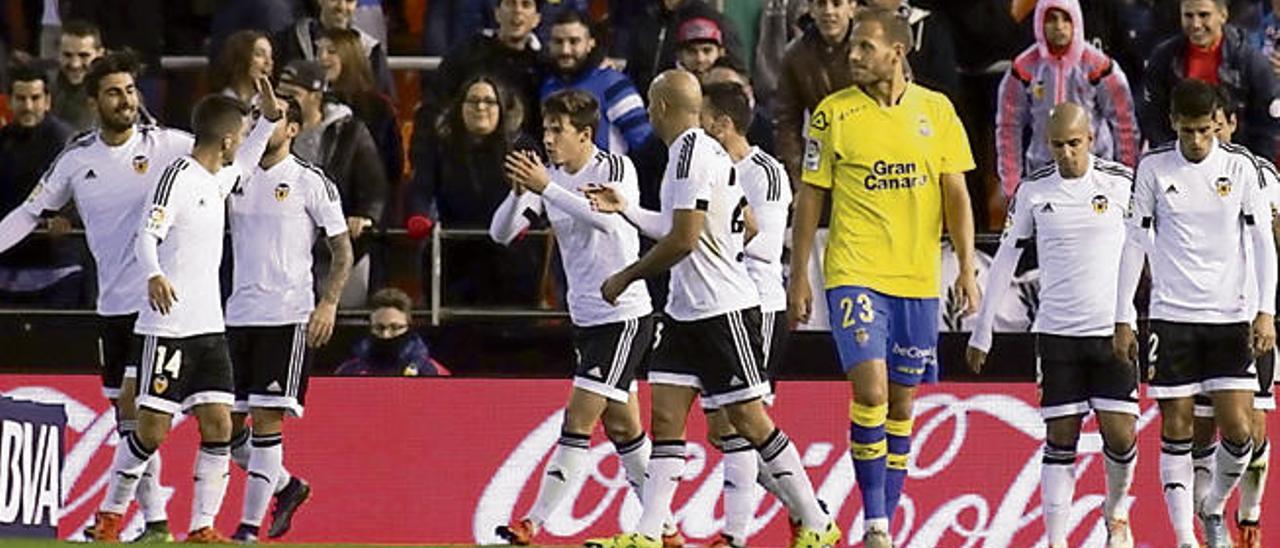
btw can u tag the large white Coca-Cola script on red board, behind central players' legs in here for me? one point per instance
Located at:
(973, 514)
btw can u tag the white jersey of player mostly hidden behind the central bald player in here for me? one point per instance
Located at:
(769, 193)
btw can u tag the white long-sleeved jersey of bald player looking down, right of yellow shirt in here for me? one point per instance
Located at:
(1078, 227)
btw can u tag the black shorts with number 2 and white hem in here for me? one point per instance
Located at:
(1186, 359)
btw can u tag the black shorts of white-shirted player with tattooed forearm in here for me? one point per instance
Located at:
(272, 367)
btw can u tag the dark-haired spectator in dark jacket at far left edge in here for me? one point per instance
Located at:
(36, 272)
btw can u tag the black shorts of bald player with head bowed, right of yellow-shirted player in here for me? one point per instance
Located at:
(1077, 375)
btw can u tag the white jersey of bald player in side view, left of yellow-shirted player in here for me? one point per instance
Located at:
(714, 278)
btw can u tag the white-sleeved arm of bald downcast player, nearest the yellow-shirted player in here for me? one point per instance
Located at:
(1018, 235)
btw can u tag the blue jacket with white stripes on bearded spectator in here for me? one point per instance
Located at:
(624, 121)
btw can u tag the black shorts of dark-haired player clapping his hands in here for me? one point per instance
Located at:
(609, 357)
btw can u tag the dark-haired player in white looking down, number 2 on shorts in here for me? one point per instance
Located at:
(1203, 200)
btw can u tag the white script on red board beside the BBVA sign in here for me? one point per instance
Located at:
(97, 432)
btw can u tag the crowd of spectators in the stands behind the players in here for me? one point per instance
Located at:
(420, 149)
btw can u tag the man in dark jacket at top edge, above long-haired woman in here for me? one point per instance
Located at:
(300, 40)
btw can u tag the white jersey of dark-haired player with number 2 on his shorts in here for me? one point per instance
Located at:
(1200, 213)
